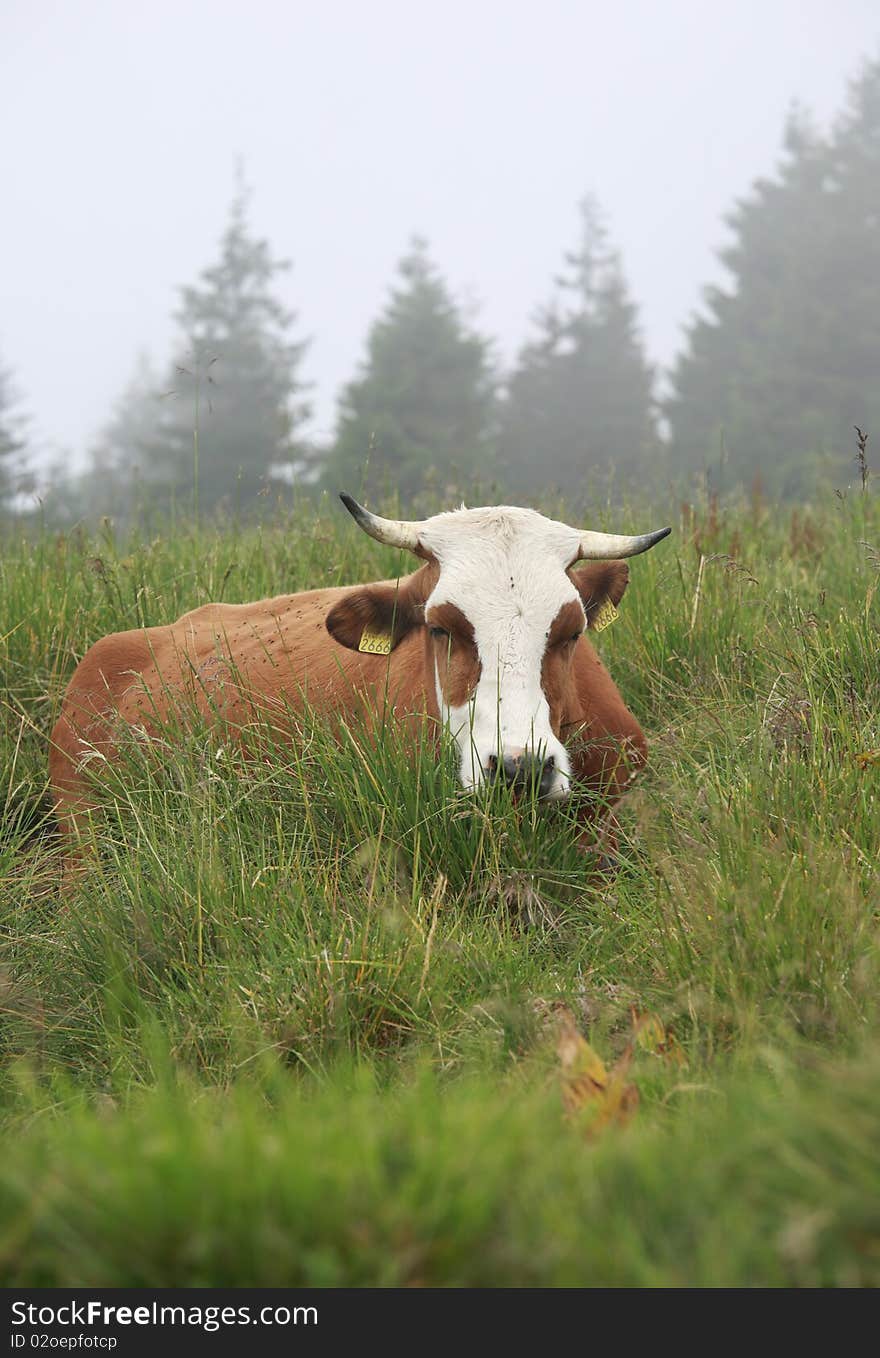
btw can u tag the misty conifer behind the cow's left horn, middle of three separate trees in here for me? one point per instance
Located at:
(424, 404)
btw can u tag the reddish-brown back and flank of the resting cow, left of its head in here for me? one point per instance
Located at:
(232, 663)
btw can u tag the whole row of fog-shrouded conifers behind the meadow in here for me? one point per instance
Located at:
(776, 370)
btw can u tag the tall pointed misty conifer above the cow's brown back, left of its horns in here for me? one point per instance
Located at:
(236, 409)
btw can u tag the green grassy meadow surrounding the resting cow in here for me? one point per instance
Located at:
(299, 1021)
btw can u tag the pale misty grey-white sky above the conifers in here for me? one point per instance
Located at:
(477, 124)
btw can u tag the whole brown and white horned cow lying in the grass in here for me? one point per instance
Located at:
(488, 639)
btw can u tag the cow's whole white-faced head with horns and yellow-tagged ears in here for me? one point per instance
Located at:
(503, 609)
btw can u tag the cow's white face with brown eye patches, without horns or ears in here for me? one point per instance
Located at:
(498, 606)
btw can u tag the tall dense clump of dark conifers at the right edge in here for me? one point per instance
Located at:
(788, 358)
